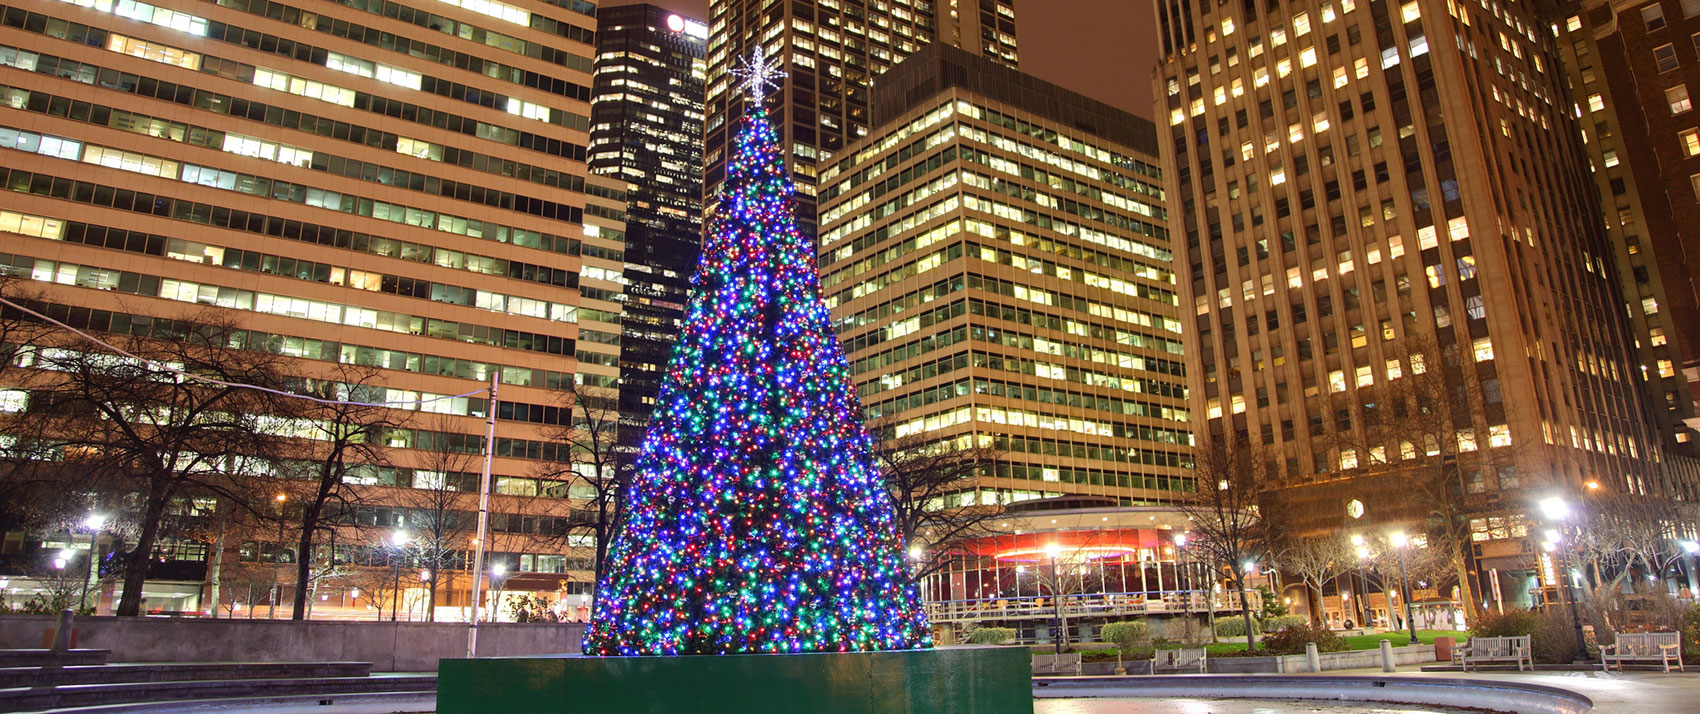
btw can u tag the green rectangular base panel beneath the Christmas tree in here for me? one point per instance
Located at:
(955, 681)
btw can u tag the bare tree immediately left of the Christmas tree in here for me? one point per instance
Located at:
(598, 468)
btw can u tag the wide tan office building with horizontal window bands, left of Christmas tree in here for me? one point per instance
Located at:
(363, 183)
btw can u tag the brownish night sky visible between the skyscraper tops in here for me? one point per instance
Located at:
(1101, 48)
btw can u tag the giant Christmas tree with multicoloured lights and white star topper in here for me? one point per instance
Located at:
(757, 521)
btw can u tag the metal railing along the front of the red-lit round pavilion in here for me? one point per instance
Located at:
(1084, 606)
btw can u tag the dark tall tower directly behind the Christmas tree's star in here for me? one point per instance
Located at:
(834, 50)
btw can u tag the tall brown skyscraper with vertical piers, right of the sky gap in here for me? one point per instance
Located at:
(1371, 195)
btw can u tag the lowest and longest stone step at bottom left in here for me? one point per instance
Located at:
(35, 700)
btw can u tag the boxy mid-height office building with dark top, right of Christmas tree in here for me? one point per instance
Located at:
(999, 271)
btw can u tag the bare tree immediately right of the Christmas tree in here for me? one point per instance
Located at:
(922, 479)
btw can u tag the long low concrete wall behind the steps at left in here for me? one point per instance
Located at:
(390, 647)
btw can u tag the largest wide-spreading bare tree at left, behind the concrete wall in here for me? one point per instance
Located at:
(171, 426)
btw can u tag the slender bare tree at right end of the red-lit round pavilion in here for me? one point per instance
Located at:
(1227, 528)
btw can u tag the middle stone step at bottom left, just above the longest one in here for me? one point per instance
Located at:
(178, 672)
